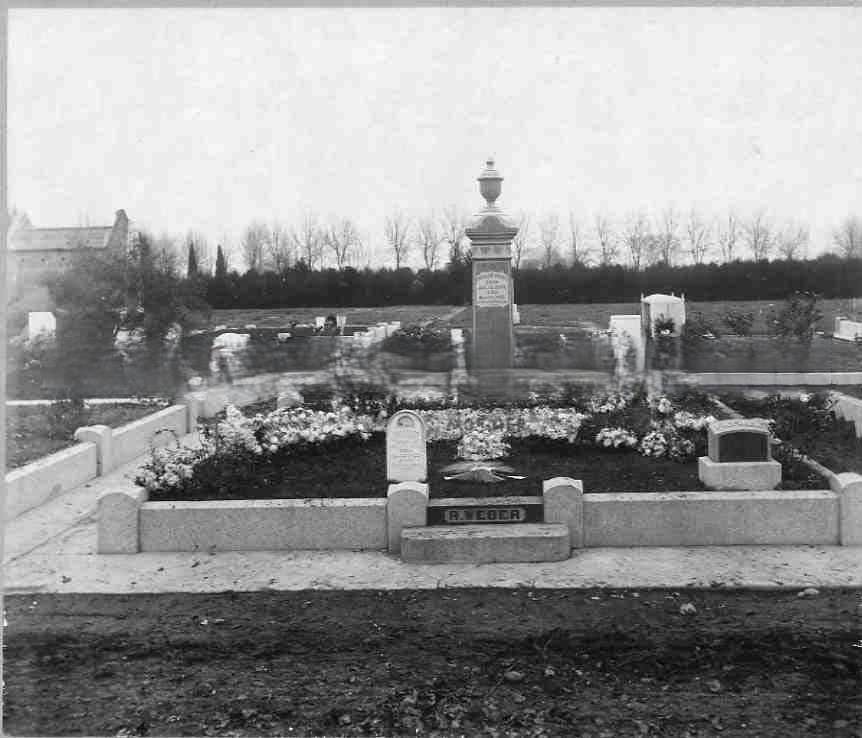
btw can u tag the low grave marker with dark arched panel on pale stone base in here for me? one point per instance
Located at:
(739, 456)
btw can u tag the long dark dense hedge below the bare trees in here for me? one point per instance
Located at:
(830, 276)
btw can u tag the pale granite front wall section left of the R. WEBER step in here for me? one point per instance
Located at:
(262, 525)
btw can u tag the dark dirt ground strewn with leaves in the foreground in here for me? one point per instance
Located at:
(436, 663)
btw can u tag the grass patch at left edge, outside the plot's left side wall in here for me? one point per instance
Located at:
(36, 431)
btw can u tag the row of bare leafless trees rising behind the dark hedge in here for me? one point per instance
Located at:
(431, 241)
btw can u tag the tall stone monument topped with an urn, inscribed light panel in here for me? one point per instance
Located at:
(491, 233)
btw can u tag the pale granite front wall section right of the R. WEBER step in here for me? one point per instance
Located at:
(771, 517)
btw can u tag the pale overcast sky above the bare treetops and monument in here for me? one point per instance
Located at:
(208, 119)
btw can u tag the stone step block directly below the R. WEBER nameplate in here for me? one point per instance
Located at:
(483, 544)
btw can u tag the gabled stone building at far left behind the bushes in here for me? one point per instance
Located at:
(35, 253)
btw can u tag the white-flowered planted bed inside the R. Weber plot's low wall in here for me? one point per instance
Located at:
(623, 442)
